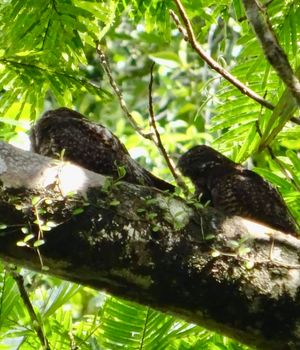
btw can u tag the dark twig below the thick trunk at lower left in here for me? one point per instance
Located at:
(34, 319)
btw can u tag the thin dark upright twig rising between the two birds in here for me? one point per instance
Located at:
(158, 140)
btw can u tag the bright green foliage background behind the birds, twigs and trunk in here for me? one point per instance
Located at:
(48, 59)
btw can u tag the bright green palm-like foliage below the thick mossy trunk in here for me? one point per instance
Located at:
(106, 322)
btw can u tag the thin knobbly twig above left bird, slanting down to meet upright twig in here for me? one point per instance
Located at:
(118, 92)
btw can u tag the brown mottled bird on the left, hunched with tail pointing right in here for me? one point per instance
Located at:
(90, 145)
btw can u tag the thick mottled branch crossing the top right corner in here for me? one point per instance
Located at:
(272, 49)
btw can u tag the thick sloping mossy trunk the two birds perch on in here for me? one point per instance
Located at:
(143, 245)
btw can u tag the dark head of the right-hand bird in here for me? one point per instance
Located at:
(201, 160)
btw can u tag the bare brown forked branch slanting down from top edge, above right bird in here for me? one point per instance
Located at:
(189, 36)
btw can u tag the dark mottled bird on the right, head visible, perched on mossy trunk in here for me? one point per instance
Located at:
(235, 190)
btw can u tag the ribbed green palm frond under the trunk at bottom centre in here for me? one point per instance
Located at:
(129, 325)
